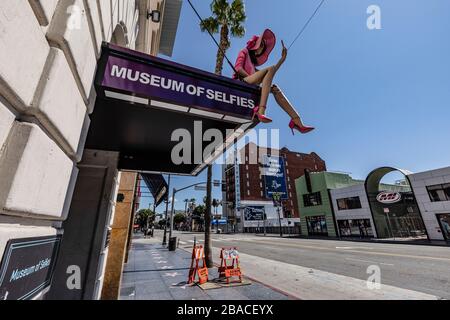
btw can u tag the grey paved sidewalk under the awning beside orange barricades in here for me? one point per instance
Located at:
(154, 273)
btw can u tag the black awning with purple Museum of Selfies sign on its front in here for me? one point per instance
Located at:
(142, 100)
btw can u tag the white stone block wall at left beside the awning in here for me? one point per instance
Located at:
(49, 50)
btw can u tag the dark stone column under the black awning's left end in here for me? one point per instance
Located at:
(84, 243)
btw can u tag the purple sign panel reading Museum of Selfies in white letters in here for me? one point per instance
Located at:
(168, 85)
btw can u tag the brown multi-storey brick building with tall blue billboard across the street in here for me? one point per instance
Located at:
(248, 193)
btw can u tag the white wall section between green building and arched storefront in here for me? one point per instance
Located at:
(348, 192)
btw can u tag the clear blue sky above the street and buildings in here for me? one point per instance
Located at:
(376, 97)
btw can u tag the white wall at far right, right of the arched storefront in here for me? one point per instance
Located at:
(420, 182)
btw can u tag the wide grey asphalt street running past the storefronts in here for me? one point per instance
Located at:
(318, 269)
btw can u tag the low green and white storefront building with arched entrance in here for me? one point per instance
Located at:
(414, 208)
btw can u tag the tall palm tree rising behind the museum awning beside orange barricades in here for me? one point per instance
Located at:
(226, 17)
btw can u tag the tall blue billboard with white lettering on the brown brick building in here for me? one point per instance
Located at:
(275, 177)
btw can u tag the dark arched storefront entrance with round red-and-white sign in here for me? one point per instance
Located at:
(394, 207)
